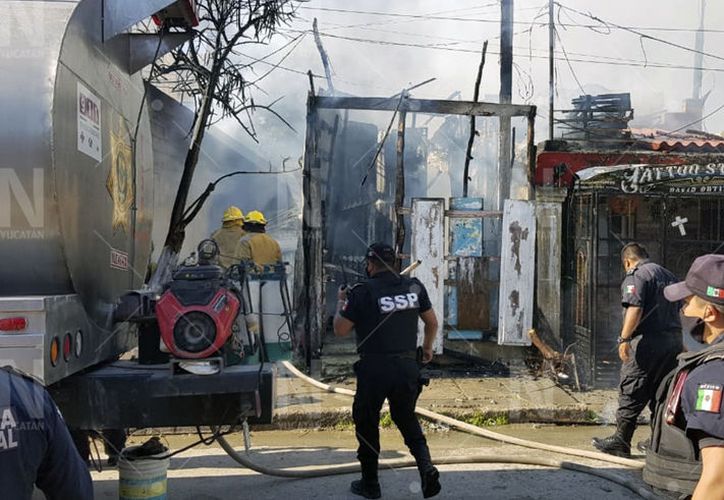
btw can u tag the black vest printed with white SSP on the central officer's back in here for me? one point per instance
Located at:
(393, 308)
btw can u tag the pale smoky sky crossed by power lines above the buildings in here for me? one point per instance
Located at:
(377, 48)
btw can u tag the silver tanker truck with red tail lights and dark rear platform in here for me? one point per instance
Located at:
(89, 157)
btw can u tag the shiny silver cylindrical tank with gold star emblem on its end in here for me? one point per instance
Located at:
(71, 222)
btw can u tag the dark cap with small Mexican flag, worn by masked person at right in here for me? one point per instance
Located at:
(705, 279)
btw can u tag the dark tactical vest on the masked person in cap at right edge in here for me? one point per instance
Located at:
(672, 461)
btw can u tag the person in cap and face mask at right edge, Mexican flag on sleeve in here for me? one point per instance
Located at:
(687, 446)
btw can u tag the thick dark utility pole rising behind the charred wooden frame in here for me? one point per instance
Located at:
(506, 95)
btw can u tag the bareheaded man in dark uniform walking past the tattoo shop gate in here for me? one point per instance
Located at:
(649, 342)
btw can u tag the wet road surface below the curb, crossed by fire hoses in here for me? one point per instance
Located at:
(207, 473)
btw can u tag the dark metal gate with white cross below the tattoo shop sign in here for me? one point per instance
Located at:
(599, 225)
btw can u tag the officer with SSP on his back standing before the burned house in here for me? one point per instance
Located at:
(385, 311)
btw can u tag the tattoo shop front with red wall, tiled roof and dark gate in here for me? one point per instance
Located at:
(663, 190)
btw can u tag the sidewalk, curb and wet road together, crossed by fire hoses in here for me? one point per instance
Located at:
(313, 428)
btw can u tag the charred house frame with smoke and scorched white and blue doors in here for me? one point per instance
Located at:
(392, 169)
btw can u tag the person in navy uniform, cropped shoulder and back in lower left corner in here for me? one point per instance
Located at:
(35, 446)
